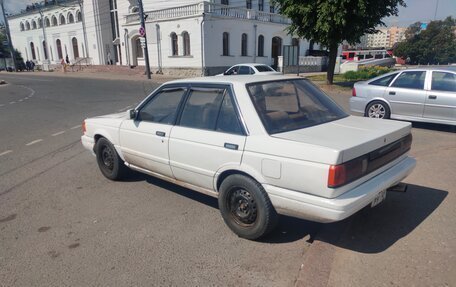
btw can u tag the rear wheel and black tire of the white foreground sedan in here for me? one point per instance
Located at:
(245, 207)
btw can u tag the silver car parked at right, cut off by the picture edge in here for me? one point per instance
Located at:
(422, 95)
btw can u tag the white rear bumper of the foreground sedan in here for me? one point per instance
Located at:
(322, 209)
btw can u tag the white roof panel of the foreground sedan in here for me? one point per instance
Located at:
(237, 79)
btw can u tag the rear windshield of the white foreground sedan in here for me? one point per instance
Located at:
(292, 104)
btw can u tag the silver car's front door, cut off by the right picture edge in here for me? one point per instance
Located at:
(441, 98)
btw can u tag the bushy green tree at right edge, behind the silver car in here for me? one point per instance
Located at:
(434, 45)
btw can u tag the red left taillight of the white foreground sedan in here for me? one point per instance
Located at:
(347, 172)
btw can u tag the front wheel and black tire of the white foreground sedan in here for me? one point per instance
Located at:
(109, 162)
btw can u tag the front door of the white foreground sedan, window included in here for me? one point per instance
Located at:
(144, 140)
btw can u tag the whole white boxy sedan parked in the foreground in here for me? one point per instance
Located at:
(262, 145)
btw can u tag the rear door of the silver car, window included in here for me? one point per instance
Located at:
(406, 94)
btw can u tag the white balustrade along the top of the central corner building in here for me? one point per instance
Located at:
(207, 8)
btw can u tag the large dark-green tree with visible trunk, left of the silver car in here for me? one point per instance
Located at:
(330, 22)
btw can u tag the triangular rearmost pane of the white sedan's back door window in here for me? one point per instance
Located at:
(228, 120)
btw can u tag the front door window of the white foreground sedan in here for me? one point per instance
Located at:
(162, 108)
